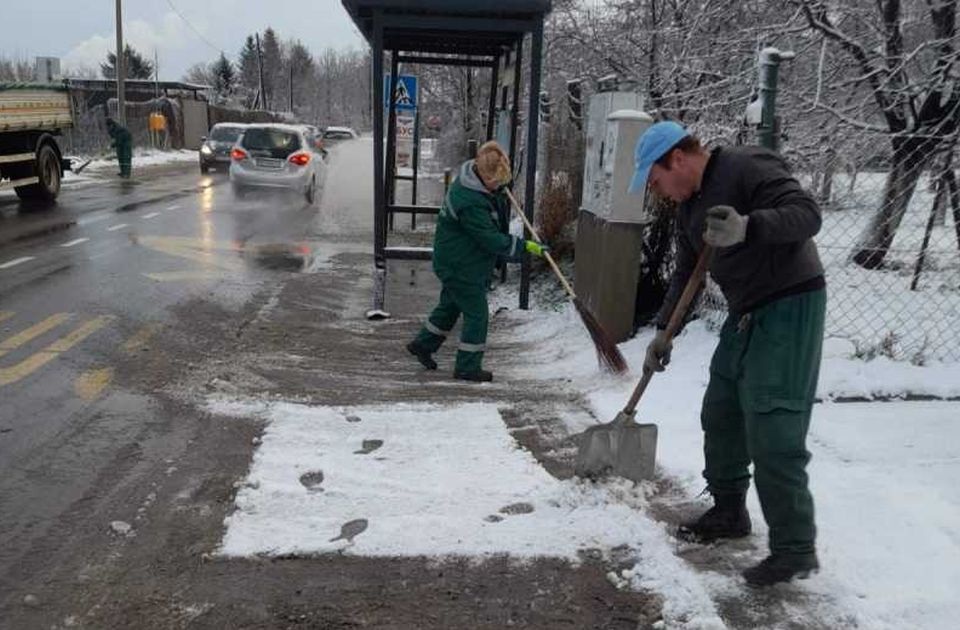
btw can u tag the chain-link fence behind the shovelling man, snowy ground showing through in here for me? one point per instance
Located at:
(890, 243)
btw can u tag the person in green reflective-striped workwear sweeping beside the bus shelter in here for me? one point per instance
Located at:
(466, 244)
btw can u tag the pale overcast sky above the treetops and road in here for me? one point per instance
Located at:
(81, 32)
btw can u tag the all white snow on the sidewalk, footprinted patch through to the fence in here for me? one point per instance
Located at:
(442, 480)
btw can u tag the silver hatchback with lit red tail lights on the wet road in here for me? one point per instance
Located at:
(276, 156)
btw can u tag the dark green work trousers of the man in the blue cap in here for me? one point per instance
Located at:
(763, 379)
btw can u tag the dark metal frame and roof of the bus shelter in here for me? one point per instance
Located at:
(462, 33)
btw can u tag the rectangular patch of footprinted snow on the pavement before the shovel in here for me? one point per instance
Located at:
(446, 481)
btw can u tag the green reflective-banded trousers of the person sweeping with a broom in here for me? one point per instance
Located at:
(457, 298)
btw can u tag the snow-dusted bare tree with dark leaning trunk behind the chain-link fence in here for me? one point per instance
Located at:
(907, 64)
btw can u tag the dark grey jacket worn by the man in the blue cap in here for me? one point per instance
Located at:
(778, 256)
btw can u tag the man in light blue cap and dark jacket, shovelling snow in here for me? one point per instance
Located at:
(744, 202)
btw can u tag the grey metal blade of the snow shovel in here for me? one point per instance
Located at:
(622, 447)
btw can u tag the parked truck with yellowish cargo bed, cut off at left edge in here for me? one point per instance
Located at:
(32, 118)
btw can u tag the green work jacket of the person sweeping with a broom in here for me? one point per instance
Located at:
(468, 237)
